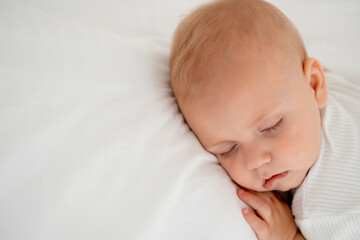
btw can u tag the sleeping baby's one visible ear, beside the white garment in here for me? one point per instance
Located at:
(315, 77)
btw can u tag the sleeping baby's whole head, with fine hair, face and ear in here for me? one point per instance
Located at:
(247, 89)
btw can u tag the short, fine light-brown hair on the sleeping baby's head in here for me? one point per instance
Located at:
(206, 36)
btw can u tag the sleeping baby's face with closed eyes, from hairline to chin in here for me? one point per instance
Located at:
(262, 123)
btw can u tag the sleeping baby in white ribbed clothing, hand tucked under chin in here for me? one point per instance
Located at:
(248, 90)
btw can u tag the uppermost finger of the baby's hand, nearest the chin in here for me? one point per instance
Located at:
(261, 206)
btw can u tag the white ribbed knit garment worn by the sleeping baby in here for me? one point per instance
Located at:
(327, 204)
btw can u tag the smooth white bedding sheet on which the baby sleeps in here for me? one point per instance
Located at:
(92, 145)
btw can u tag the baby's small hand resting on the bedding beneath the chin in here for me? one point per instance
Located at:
(272, 218)
